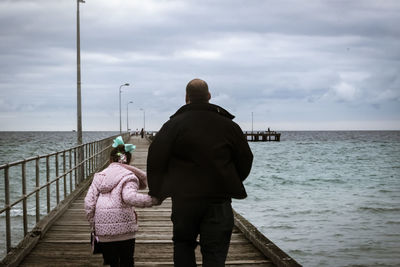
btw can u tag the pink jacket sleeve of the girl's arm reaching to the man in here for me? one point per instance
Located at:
(131, 196)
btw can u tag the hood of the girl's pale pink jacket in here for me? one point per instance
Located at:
(110, 177)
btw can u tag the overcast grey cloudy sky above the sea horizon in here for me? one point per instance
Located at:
(294, 65)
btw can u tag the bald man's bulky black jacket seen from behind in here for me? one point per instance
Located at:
(199, 153)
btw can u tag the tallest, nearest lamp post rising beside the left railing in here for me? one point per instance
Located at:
(78, 94)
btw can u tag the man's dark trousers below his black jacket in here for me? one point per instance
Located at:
(212, 219)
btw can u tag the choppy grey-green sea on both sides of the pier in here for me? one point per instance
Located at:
(326, 198)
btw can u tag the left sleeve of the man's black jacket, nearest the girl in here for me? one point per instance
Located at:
(160, 151)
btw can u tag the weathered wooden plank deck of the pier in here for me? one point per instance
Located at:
(67, 241)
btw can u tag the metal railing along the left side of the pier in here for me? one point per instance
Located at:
(44, 182)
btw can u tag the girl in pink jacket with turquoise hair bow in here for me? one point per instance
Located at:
(109, 205)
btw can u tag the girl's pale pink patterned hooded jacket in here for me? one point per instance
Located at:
(110, 201)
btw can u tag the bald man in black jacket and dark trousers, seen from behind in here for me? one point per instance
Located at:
(199, 158)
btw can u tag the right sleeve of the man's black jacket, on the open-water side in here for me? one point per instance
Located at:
(243, 156)
